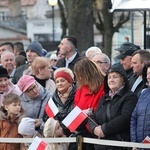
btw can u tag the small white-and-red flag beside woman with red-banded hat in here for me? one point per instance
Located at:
(51, 109)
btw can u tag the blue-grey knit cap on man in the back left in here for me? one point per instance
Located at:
(36, 47)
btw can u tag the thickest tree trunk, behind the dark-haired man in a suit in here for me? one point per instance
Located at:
(80, 22)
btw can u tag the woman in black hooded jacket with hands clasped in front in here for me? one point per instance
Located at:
(111, 120)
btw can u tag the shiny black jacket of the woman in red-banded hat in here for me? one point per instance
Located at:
(64, 109)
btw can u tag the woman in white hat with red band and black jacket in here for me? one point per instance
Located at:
(64, 95)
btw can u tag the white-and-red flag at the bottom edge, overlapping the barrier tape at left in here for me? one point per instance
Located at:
(37, 144)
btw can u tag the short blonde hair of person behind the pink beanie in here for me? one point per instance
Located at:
(39, 63)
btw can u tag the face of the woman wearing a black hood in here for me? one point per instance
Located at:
(115, 81)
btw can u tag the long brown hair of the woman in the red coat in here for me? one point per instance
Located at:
(89, 74)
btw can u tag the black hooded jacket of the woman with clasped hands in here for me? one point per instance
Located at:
(115, 122)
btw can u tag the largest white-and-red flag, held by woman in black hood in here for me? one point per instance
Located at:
(74, 119)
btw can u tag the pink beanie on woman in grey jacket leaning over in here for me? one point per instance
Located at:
(25, 82)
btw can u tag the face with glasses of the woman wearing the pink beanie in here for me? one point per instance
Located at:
(33, 91)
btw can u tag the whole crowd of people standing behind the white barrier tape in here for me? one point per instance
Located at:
(115, 97)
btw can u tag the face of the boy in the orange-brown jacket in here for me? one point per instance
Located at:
(13, 108)
